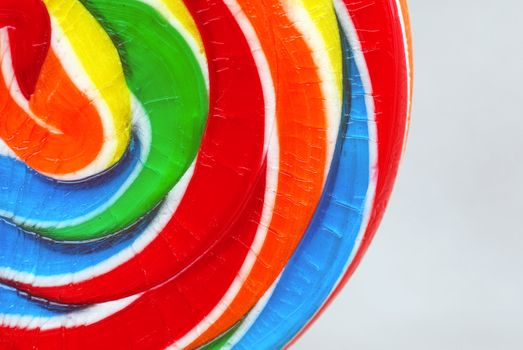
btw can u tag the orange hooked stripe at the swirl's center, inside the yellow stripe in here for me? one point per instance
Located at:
(60, 104)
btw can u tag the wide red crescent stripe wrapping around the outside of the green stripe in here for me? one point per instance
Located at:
(228, 165)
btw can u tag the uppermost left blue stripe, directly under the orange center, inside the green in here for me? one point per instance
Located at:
(27, 194)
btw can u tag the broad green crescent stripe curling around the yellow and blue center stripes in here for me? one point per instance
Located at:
(164, 74)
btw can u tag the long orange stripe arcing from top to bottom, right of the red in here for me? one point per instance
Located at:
(302, 125)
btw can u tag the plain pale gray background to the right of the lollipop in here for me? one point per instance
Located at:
(445, 270)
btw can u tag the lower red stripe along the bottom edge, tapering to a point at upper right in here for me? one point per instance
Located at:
(164, 314)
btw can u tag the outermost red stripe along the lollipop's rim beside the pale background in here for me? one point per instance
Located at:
(384, 51)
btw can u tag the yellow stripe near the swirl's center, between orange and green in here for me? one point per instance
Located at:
(100, 61)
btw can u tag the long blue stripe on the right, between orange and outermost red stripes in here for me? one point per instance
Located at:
(323, 253)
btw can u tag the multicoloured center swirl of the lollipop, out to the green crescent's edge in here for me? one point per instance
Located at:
(107, 105)
